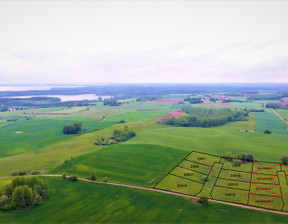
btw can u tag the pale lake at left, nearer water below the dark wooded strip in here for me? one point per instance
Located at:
(67, 97)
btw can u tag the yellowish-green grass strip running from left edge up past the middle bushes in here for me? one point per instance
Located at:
(53, 155)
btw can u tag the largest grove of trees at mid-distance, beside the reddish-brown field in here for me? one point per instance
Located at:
(200, 117)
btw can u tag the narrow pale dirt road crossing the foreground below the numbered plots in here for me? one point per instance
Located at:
(161, 191)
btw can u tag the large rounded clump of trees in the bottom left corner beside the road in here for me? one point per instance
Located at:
(23, 193)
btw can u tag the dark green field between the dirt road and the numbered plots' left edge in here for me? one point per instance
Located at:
(140, 165)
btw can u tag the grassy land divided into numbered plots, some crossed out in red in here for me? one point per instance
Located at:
(253, 183)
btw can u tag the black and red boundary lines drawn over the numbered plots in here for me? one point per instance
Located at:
(257, 173)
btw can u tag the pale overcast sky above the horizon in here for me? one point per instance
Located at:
(90, 42)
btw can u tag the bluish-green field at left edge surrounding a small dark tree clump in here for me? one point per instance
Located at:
(26, 135)
